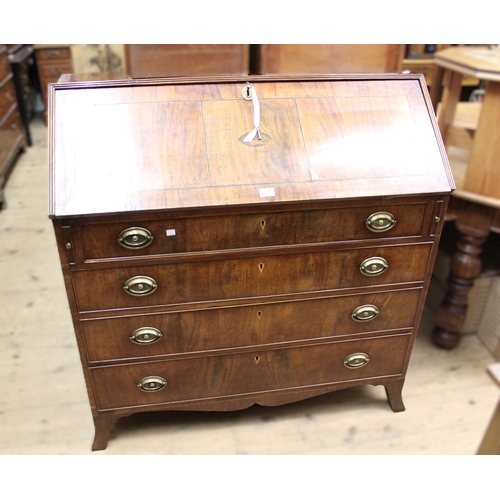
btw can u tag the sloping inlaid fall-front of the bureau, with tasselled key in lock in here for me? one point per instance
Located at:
(159, 144)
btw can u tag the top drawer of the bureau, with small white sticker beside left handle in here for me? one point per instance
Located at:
(196, 234)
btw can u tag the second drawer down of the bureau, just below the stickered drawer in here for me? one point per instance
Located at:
(246, 277)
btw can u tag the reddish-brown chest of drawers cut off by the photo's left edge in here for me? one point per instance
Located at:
(12, 137)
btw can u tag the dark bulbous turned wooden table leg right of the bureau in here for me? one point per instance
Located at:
(473, 223)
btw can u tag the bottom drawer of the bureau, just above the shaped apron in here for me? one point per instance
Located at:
(218, 376)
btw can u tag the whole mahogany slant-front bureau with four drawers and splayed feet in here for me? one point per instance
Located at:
(226, 243)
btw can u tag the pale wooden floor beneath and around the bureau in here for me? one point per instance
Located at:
(44, 409)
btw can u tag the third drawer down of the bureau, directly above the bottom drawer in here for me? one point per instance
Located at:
(233, 327)
